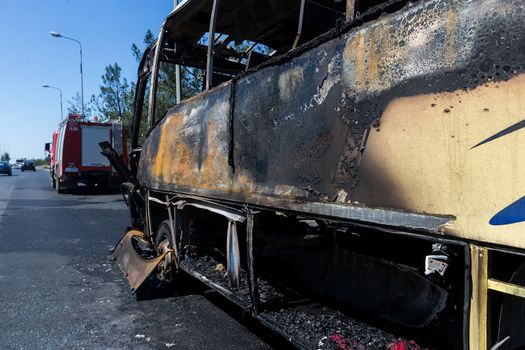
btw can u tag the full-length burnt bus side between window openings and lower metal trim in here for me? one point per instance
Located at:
(300, 130)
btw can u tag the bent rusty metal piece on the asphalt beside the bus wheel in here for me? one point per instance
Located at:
(135, 268)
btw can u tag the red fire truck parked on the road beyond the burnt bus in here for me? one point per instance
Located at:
(76, 160)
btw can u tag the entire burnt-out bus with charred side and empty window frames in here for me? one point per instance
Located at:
(367, 159)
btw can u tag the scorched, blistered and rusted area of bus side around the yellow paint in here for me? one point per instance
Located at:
(297, 127)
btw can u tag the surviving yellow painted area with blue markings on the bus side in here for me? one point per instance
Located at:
(422, 158)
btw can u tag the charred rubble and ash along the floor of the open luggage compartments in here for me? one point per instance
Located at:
(312, 326)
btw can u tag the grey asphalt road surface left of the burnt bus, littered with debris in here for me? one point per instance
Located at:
(59, 289)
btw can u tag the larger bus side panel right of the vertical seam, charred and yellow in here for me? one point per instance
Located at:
(400, 114)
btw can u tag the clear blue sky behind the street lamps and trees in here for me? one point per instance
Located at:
(30, 57)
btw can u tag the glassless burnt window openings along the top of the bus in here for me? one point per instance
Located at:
(245, 34)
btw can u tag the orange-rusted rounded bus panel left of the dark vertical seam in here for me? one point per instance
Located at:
(188, 150)
